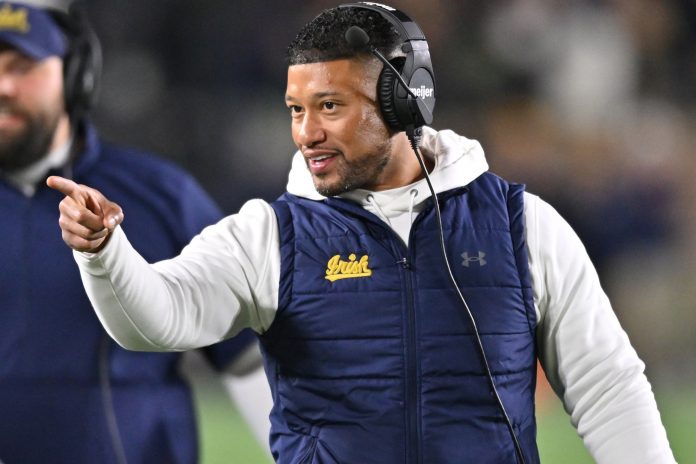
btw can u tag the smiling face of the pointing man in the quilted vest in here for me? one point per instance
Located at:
(337, 125)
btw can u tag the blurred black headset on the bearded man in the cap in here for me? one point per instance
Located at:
(82, 64)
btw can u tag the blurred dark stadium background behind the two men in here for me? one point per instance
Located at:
(590, 103)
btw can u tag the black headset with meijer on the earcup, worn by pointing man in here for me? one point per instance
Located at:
(396, 103)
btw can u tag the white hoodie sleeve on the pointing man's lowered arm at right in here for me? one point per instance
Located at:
(585, 353)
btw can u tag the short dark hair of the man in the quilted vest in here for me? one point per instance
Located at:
(323, 38)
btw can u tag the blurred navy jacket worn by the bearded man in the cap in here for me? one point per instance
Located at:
(62, 379)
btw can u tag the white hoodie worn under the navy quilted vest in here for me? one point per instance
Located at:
(227, 279)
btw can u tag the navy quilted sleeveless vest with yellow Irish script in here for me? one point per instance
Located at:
(371, 357)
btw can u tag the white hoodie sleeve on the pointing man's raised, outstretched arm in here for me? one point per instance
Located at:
(226, 279)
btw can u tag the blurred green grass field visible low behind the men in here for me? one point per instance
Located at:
(226, 440)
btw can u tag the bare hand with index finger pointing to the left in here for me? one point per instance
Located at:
(87, 217)
